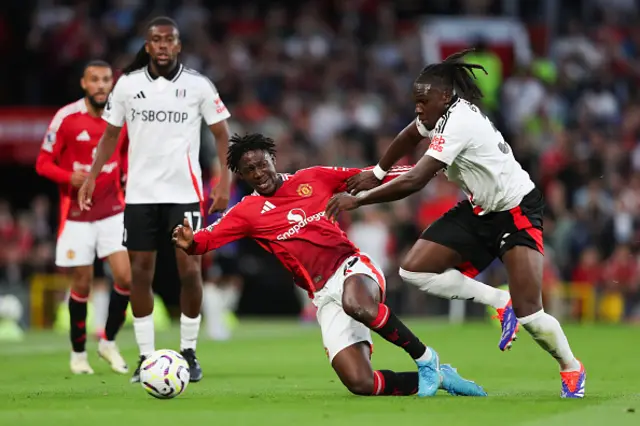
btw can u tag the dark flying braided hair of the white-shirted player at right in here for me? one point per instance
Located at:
(454, 74)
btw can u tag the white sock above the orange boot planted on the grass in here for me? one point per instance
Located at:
(546, 330)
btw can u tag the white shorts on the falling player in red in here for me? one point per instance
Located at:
(339, 330)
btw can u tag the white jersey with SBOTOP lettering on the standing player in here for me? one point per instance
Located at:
(164, 119)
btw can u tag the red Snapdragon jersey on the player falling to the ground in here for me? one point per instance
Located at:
(291, 224)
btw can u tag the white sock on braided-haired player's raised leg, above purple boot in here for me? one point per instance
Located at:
(452, 284)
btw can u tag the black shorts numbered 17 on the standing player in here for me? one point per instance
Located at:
(146, 225)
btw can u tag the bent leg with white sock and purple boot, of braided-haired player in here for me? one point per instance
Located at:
(431, 267)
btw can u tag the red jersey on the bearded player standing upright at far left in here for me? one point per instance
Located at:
(70, 146)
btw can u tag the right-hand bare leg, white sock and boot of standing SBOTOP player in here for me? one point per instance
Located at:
(190, 272)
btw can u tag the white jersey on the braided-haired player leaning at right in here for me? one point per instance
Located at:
(478, 159)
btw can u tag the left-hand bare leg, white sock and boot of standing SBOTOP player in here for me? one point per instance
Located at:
(142, 268)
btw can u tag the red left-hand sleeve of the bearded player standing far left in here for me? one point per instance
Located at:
(52, 146)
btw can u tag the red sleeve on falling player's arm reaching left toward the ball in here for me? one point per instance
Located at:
(229, 228)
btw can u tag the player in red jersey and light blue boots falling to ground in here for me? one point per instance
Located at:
(285, 215)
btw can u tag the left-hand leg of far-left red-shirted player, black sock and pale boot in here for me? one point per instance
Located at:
(81, 277)
